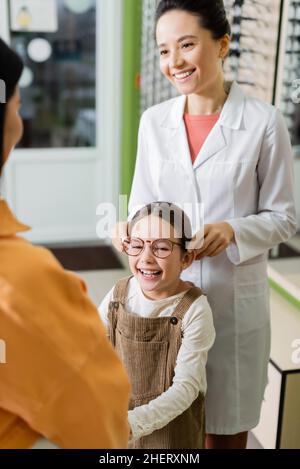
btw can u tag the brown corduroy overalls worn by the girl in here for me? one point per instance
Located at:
(148, 348)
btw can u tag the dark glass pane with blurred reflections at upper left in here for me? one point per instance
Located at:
(58, 86)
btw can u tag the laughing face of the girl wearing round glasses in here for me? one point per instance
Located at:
(158, 278)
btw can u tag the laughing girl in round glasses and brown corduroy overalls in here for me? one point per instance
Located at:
(162, 329)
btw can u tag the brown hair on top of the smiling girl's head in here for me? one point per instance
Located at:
(169, 212)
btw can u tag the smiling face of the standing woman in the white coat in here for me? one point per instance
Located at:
(189, 56)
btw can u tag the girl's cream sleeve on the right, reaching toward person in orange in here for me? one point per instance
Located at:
(190, 375)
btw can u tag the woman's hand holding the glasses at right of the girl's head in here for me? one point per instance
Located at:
(217, 237)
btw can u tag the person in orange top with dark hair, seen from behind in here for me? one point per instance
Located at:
(62, 379)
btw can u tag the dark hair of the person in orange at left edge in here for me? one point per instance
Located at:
(11, 67)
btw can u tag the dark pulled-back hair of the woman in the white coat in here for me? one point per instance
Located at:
(211, 14)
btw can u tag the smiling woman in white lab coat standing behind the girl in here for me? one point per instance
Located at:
(215, 146)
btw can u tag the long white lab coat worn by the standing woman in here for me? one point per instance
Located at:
(244, 175)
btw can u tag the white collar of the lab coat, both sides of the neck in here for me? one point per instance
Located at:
(231, 115)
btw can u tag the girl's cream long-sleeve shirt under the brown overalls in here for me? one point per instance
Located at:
(190, 376)
